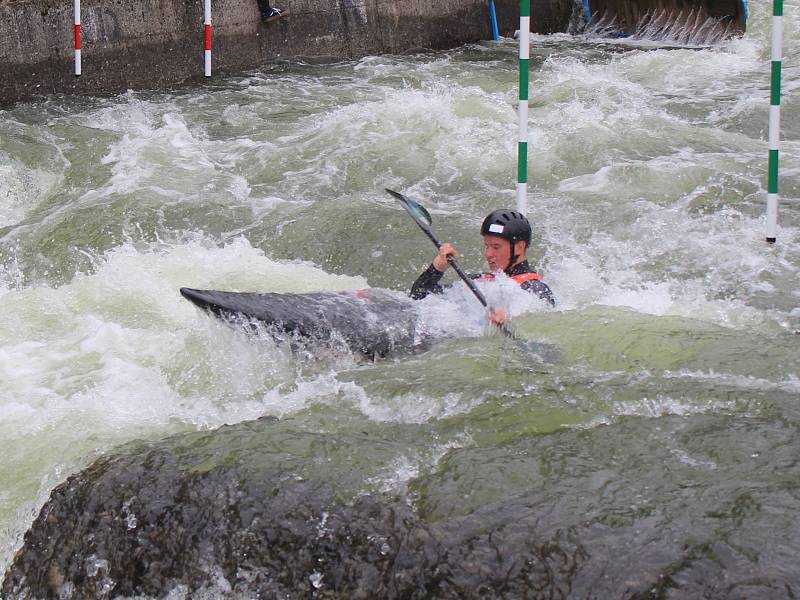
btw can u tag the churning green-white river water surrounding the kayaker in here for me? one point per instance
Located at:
(663, 417)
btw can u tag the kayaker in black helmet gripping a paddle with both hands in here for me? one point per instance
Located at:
(506, 237)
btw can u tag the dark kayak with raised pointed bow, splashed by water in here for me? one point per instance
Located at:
(371, 322)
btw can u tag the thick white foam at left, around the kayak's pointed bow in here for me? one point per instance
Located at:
(118, 354)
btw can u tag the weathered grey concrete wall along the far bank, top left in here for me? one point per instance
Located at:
(137, 44)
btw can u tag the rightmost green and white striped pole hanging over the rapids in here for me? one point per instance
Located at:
(774, 121)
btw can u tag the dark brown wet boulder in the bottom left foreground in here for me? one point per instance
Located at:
(257, 510)
